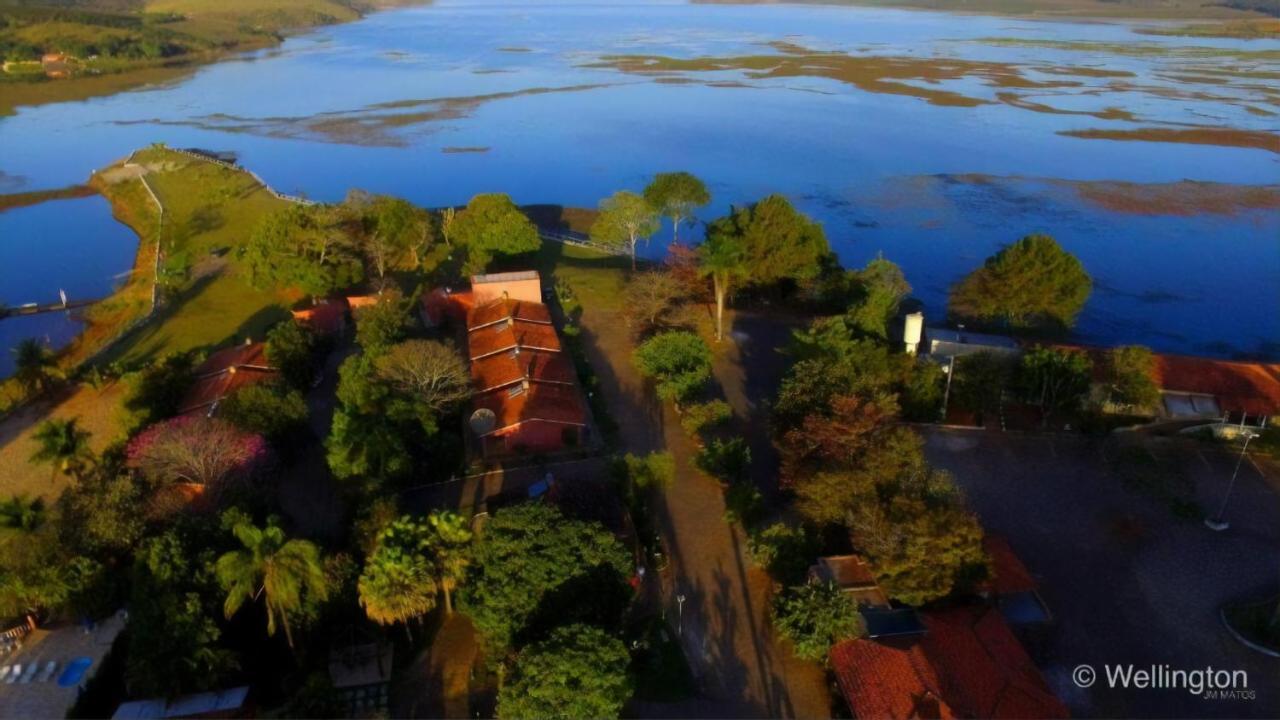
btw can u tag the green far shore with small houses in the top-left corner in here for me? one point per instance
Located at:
(60, 52)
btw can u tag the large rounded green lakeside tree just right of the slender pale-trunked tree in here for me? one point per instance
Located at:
(779, 243)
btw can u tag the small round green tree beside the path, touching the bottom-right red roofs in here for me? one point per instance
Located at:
(816, 617)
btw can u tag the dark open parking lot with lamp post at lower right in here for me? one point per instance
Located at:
(1127, 580)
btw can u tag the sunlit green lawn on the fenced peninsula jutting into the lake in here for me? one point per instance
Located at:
(209, 212)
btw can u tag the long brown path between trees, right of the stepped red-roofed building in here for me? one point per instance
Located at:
(742, 671)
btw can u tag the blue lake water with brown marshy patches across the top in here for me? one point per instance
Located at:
(531, 92)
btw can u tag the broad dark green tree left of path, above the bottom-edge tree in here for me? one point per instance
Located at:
(534, 568)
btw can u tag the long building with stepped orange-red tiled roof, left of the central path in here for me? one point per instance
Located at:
(527, 399)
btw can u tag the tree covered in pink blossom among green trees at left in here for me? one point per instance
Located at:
(205, 452)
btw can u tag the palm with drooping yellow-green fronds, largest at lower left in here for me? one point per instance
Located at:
(275, 568)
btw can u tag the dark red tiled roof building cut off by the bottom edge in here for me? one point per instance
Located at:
(968, 664)
